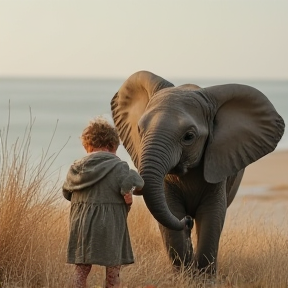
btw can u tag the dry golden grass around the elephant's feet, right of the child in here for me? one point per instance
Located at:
(253, 253)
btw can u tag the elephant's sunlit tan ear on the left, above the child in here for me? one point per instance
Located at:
(129, 104)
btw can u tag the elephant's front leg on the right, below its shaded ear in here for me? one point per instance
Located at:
(209, 221)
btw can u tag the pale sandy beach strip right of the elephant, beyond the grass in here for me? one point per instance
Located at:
(265, 188)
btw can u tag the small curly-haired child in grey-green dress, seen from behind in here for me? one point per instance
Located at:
(95, 185)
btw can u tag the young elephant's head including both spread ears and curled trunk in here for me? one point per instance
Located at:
(170, 130)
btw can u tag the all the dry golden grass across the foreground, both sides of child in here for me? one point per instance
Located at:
(34, 229)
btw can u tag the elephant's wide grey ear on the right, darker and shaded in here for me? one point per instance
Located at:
(245, 127)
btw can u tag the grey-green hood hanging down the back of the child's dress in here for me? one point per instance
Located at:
(89, 170)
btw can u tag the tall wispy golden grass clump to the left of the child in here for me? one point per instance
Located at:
(30, 230)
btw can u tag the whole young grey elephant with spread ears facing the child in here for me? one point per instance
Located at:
(191, 146)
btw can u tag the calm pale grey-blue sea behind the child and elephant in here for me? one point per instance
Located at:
(73, 102)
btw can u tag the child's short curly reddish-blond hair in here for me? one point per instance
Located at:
(100, 133)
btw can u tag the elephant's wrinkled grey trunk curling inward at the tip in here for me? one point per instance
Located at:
(154, 165)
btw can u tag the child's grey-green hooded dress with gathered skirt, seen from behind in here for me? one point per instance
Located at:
(98, 226)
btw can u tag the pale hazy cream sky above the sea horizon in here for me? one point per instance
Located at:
(245, 39)
